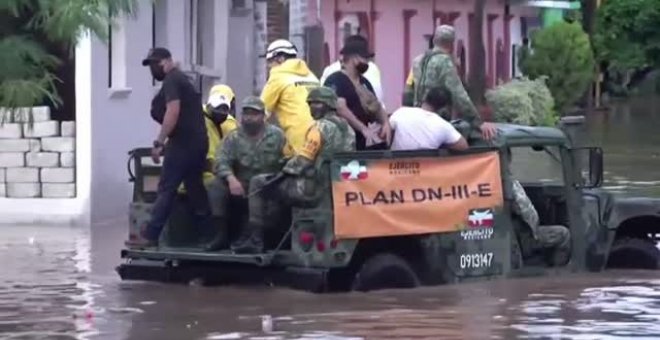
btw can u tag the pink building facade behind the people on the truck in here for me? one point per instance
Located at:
(399, 30)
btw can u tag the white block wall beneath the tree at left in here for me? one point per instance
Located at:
(36, 161)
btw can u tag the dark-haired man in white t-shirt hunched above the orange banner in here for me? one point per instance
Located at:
(418, 128)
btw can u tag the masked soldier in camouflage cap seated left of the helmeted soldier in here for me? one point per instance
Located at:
(256, 147)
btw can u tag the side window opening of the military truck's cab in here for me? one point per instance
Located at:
(543, 165)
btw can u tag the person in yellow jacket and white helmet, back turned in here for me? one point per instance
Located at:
(285, 93)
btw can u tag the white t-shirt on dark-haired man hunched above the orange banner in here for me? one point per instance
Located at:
(416, 128)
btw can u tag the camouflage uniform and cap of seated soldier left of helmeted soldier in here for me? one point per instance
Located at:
(244, 157)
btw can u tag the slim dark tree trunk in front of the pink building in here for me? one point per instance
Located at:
(477, 79)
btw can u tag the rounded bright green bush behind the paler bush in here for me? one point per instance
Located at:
(562, 52)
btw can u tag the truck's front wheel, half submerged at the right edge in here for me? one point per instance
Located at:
(634, 253)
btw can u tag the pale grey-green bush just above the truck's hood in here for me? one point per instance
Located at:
(523, 101)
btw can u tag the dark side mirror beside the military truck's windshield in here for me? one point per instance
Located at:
(589, 166)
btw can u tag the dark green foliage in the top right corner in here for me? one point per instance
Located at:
(627, 34)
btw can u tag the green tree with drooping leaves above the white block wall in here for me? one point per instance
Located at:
(27, 71)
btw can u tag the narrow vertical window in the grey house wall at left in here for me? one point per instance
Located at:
(117, 55)
